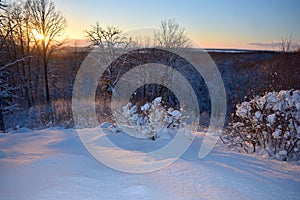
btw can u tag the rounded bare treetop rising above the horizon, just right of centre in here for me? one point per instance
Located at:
(171, 35)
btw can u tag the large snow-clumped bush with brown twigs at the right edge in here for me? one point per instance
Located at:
(269, 123)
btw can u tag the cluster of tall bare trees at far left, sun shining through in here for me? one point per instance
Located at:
(29, 36)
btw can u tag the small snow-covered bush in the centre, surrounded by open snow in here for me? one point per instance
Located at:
(147, 120)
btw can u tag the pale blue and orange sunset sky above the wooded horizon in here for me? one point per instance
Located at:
(247, 24)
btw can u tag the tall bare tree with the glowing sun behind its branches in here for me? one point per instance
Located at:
(47, 25)
